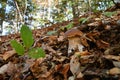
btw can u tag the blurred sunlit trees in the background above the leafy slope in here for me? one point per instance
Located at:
(40, 13)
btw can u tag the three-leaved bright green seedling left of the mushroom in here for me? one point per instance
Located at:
(27, 38)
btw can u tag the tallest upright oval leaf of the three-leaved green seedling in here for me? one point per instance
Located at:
(27, 37)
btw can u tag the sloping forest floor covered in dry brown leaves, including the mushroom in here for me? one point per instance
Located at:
(94, 55)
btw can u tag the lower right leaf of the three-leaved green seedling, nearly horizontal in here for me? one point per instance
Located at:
(36, 53)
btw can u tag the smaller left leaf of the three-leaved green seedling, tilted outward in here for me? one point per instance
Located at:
(18, 47)
